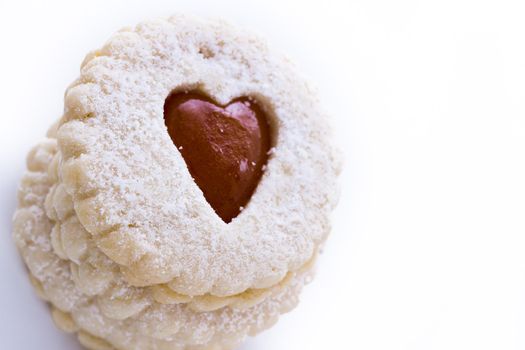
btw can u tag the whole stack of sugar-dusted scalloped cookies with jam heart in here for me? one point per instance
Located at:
(182, 199)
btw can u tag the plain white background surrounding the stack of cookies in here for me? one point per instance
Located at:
(428, 100)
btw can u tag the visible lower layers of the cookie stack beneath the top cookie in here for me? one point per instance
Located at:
(87, 296)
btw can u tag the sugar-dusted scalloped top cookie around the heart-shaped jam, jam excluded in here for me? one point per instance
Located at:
(132, 189)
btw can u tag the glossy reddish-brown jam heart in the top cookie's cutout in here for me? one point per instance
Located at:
(224, 147)
